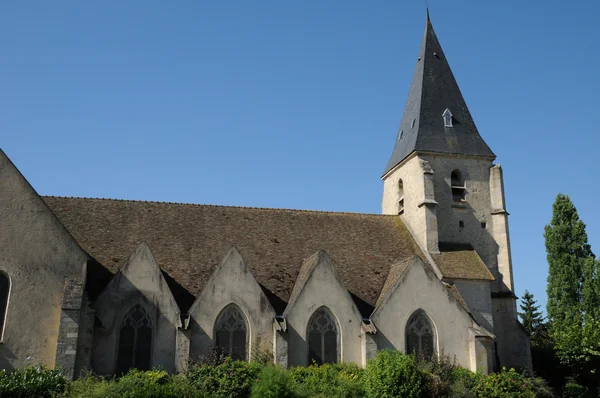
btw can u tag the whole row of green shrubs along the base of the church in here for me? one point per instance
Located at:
(389, 374)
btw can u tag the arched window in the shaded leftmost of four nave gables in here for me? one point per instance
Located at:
(135, 340)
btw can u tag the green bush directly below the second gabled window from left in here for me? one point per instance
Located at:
(227, 379)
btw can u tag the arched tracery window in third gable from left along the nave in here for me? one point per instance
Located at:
(323, 337)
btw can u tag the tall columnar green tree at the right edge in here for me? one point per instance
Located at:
(573, 291)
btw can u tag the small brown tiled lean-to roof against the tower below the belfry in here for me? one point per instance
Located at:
(461, 262)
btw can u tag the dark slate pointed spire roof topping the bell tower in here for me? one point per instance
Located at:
(432, 91)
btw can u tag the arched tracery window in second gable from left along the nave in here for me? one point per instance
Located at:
(231, 332)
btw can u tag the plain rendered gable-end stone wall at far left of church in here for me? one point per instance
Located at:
(37, 254)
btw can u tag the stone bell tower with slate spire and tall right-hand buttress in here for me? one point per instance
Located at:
(441, 180)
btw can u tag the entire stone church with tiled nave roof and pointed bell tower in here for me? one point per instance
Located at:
(108, 285)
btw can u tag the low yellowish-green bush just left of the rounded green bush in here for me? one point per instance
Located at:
(328, 380)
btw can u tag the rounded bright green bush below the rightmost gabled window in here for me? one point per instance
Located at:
(393, 374)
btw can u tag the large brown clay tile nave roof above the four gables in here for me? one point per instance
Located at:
(188, 241)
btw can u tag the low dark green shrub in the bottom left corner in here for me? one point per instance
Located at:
(31, 382)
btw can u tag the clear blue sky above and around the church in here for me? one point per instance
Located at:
(295, 104)
